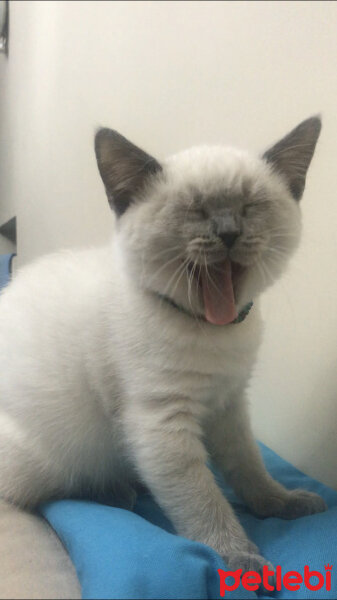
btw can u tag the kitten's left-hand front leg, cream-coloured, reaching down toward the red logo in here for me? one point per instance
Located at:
(165, 441)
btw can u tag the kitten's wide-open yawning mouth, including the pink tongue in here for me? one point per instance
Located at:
(219, 284)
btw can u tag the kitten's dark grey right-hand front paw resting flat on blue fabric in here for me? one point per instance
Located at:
(291, 505)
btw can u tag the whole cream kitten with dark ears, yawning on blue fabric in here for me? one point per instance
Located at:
(127, 365)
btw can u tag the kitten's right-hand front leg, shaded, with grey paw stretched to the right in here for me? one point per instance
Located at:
(232, 446)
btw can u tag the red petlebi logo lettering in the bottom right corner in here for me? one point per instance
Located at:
(290, 580)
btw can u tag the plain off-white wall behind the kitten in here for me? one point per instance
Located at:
(168, 75)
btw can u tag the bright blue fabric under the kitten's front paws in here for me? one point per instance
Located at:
(119, 554)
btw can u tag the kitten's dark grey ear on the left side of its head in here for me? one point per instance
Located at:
(124, 168)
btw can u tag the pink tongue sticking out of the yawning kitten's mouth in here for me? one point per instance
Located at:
(218, 293)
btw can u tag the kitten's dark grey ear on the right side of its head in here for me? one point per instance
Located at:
(292, 155)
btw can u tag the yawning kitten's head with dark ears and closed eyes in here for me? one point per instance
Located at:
(211, 227)
